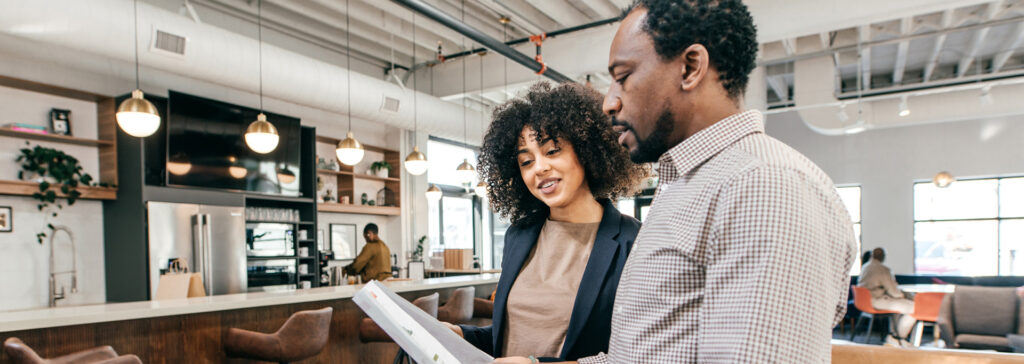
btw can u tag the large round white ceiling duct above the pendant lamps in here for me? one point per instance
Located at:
(37, 30)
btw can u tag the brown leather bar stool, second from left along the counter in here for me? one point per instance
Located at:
(303, 337)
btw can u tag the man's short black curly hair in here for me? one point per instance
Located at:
(724, 27)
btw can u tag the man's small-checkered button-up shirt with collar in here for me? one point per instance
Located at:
(743, 259)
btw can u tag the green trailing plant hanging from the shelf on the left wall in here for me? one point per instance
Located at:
(55, 171)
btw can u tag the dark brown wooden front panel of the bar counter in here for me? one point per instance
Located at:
(197, 338)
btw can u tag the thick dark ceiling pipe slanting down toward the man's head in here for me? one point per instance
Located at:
(478, 36)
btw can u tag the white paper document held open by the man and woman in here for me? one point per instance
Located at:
(422, 337)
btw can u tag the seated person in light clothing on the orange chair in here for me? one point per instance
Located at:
(885, 293)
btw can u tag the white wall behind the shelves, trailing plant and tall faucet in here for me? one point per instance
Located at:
(24, 263)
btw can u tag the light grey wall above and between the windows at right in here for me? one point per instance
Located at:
(887, 163)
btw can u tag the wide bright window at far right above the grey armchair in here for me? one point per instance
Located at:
(971, 228)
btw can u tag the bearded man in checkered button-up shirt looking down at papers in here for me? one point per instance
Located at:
(745, 255)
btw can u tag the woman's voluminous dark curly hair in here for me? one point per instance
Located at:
(569, 113)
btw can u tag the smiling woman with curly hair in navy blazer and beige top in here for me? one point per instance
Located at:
(553, 169)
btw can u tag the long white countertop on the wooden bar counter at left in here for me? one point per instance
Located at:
(42, 318)
